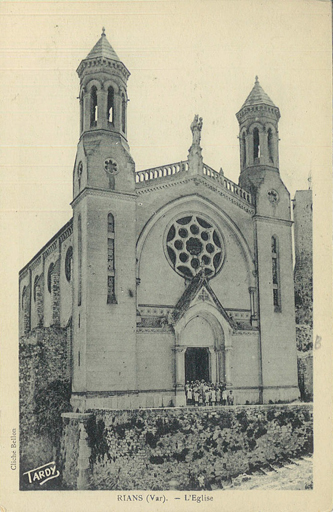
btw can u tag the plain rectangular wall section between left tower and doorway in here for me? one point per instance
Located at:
(155, 360)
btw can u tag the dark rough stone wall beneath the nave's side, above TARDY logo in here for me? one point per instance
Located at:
(44, 394)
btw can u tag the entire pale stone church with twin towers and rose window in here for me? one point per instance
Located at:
(170, 274)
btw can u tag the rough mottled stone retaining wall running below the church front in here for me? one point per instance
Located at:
(199, 448)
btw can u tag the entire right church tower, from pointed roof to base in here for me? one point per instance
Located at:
(259, 174)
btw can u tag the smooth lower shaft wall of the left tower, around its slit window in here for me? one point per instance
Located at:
(109, 328)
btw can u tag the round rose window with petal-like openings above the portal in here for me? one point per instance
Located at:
(193, 244)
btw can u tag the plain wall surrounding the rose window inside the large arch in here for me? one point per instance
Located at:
(160, 284)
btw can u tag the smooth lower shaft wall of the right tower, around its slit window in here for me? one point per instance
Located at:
(278, 338)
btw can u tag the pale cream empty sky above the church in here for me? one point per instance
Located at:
(185, 58)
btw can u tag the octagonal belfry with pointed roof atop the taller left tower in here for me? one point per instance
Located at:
(103, 122)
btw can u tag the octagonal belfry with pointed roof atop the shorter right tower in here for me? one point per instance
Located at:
(258, 137)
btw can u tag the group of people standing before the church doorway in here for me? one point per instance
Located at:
(201, 393)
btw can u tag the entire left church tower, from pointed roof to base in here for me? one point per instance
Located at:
(104, 212)
